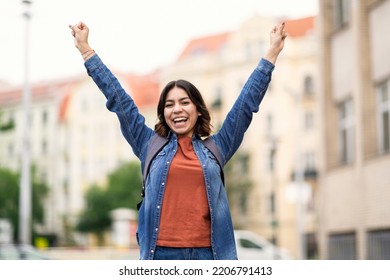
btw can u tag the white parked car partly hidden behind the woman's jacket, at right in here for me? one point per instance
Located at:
(251, 246)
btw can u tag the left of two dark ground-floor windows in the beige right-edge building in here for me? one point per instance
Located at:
(342, 246)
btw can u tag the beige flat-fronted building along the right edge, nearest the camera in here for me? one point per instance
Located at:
(354, 193)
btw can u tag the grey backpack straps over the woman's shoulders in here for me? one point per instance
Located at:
(158, 142)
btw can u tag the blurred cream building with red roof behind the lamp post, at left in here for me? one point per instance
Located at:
(74, 140)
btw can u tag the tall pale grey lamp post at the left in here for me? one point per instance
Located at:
(25, 181)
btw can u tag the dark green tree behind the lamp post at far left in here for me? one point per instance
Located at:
(9, 199)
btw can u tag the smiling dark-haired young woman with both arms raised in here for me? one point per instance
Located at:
(185, 212)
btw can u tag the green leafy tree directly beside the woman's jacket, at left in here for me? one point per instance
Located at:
(123, 190)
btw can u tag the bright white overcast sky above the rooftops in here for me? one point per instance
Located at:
(134, 36)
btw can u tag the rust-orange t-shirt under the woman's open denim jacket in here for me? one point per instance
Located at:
(185, 216)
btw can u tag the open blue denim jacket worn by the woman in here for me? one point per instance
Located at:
(228, 139)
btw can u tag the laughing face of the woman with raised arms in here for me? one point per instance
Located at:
(180, 112)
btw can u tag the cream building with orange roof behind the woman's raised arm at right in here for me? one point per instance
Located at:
(283, 138)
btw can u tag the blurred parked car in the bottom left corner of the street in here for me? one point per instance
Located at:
(20, 252)
